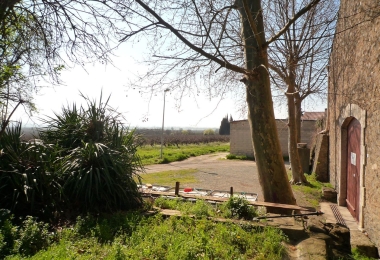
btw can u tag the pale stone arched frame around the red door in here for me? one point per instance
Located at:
(347, 114)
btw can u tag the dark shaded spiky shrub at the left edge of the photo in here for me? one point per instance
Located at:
(29, 175)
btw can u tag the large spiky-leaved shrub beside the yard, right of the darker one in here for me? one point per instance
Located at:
(99, 157)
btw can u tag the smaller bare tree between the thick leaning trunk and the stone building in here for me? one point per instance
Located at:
(298, 61)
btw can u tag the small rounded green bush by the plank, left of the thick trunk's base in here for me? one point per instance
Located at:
(238, 207)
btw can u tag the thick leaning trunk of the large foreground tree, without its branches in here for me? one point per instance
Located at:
(270, 164)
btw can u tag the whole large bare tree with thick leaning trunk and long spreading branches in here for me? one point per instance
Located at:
(218, 43)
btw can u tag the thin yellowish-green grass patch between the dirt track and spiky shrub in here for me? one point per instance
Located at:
(169, 178)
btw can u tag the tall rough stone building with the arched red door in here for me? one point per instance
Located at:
(354, 113)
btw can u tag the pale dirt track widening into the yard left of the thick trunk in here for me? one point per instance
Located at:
(217, 173)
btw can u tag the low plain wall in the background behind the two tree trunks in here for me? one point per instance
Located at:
(241, 142)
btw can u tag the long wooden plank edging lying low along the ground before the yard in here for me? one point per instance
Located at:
(253, 203)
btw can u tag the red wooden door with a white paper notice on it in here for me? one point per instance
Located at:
(353, 167)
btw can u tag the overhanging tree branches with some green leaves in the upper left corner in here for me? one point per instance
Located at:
(39, 38)
